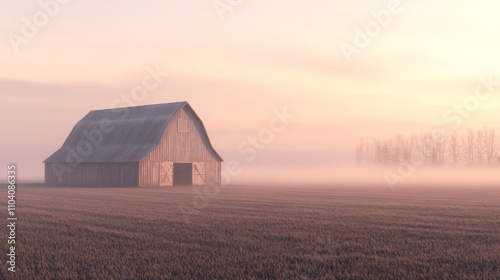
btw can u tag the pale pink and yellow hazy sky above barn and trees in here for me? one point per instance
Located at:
(344, 70)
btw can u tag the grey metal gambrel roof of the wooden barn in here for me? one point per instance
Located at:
(128, 134)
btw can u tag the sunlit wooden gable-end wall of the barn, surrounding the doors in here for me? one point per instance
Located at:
(180, 147)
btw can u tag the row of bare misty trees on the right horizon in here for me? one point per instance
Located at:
(469, 148)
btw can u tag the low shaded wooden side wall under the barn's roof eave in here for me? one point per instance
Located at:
(93, 174)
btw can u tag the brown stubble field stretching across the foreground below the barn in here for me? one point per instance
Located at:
(246, 232)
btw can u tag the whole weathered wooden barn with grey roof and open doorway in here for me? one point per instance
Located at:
(153, 145)
